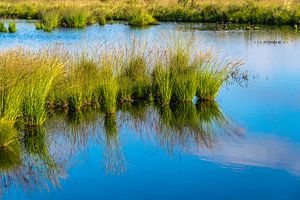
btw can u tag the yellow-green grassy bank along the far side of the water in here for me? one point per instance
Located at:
(77, 13)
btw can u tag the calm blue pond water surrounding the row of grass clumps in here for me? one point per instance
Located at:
(245, 146)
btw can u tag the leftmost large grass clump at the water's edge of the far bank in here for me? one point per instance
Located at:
(50, 19)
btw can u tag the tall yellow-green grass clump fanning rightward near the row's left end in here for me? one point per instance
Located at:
(43, 68)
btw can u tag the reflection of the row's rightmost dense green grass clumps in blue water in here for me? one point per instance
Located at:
(185, 126)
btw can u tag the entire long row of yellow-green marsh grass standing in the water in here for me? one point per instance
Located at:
(35, 82)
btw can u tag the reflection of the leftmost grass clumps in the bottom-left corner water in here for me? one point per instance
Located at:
(31, 166)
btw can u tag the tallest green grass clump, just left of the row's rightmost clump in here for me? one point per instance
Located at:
(174, 75)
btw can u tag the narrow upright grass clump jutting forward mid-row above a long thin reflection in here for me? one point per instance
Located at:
(108, 87)
